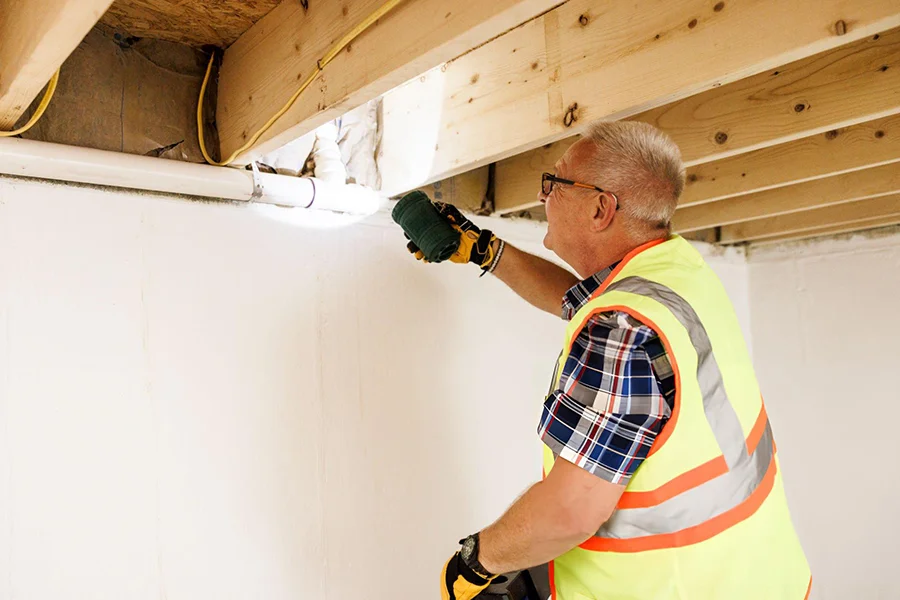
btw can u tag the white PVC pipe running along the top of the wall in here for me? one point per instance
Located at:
(43, 160)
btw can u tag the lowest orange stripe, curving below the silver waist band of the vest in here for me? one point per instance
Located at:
(695, 534)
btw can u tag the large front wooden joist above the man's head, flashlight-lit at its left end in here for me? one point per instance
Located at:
(583, 61)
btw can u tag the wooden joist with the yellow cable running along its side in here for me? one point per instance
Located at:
(266, 65)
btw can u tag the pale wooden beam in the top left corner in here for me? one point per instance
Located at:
(36, 37)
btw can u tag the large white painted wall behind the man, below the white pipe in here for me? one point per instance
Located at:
(197, 401)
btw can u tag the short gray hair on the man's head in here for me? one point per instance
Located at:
(642, 166)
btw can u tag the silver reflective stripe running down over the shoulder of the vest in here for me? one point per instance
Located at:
(719, 411)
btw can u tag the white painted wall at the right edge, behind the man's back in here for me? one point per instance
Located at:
(827, 336)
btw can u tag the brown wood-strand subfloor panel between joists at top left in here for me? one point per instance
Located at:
(218, 23)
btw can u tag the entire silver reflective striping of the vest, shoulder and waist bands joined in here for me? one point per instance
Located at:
(745, 471)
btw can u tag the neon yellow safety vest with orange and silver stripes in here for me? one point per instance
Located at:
(705, 515)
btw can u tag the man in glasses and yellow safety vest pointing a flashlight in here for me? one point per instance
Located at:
(660, 474)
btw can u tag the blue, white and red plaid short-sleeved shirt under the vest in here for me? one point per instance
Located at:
(615, 394)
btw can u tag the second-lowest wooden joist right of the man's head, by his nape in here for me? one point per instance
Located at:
(857, 185)
